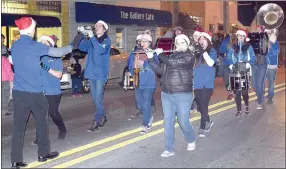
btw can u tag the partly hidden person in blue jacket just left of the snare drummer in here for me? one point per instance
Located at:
(223, 50)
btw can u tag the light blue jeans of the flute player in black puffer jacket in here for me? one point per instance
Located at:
(177, 103)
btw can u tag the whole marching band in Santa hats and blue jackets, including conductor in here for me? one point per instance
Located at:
(186, 75)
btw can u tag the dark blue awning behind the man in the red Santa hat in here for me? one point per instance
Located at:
(42, 21)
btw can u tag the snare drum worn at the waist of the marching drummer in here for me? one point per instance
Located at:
(239, 81)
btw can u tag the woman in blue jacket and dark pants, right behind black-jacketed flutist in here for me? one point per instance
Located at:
(204, 78)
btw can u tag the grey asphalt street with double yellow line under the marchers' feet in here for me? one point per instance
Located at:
(256, 140)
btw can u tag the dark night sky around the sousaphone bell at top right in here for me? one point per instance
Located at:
(246, 13)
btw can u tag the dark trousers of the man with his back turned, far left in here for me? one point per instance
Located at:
(24, 102)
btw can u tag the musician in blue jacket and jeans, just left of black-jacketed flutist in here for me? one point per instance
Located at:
(147, 82)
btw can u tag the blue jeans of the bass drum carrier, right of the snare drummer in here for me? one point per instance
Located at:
(258, 80)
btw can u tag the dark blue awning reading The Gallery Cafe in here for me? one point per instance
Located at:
(91, 13)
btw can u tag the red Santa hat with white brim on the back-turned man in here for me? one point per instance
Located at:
(26, 25)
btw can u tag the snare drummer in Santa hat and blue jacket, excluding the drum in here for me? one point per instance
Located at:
(241, 51)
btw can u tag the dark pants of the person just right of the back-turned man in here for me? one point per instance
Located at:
(54, 102)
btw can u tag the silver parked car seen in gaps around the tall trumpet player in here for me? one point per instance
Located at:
(117, 68)
